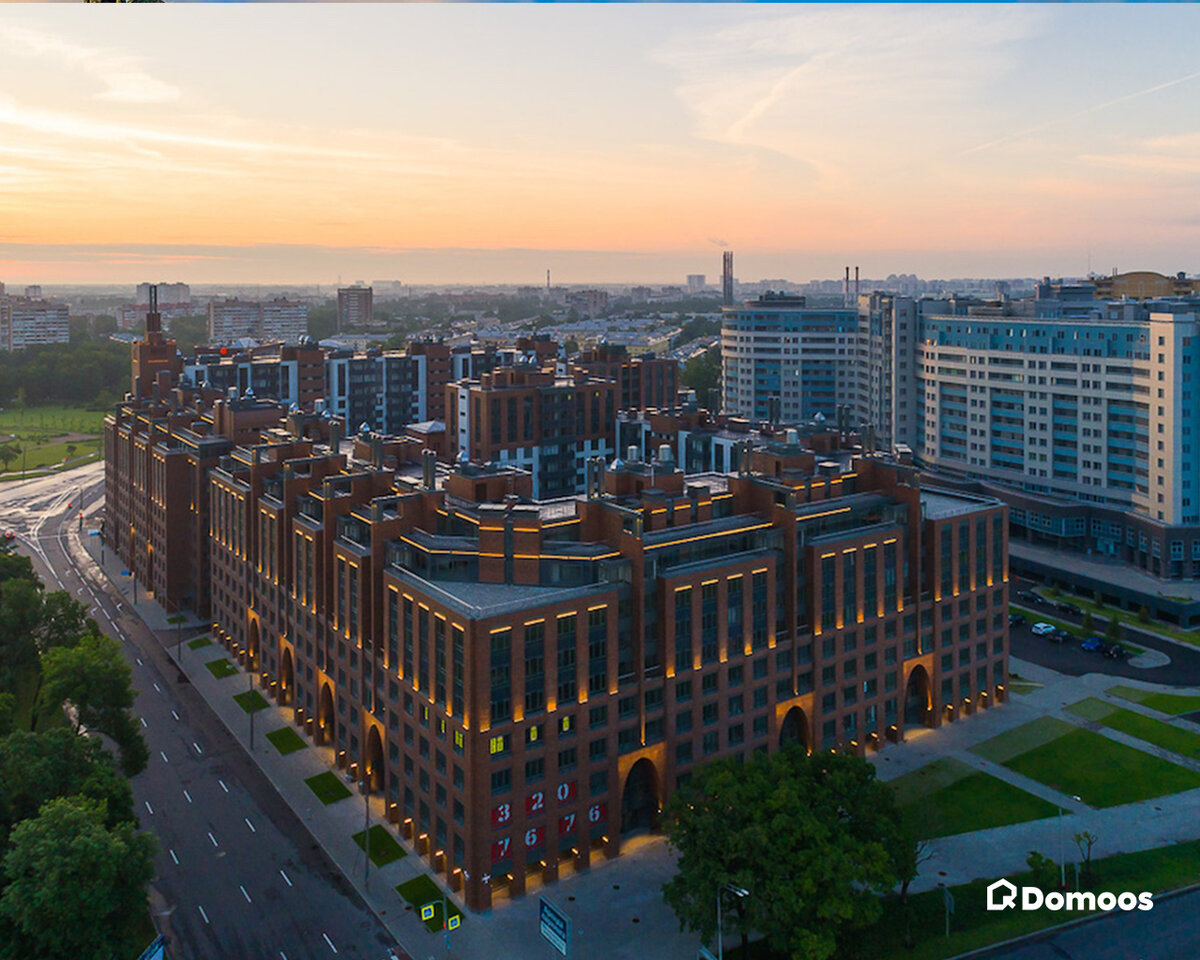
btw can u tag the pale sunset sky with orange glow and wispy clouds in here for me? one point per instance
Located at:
(608, 143)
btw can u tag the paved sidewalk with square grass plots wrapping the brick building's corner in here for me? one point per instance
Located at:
(616, 908)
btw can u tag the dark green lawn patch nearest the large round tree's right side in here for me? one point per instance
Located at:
(947, 797)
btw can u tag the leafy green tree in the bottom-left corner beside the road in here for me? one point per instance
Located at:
(76, 887)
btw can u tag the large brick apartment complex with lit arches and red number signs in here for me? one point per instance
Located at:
(527, 681)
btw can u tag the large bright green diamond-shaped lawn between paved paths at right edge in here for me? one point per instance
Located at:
(1102, 772)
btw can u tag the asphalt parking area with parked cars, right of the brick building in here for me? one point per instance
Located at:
(1069, 658)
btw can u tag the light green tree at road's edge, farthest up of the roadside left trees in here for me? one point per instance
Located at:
(94, 679)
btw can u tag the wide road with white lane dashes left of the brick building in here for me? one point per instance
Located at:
(238, 875)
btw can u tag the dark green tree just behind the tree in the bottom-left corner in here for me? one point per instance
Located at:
(39, 767)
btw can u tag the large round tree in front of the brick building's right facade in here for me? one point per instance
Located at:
(814, 839)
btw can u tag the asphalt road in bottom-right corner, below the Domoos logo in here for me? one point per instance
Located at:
(1169, 932)
